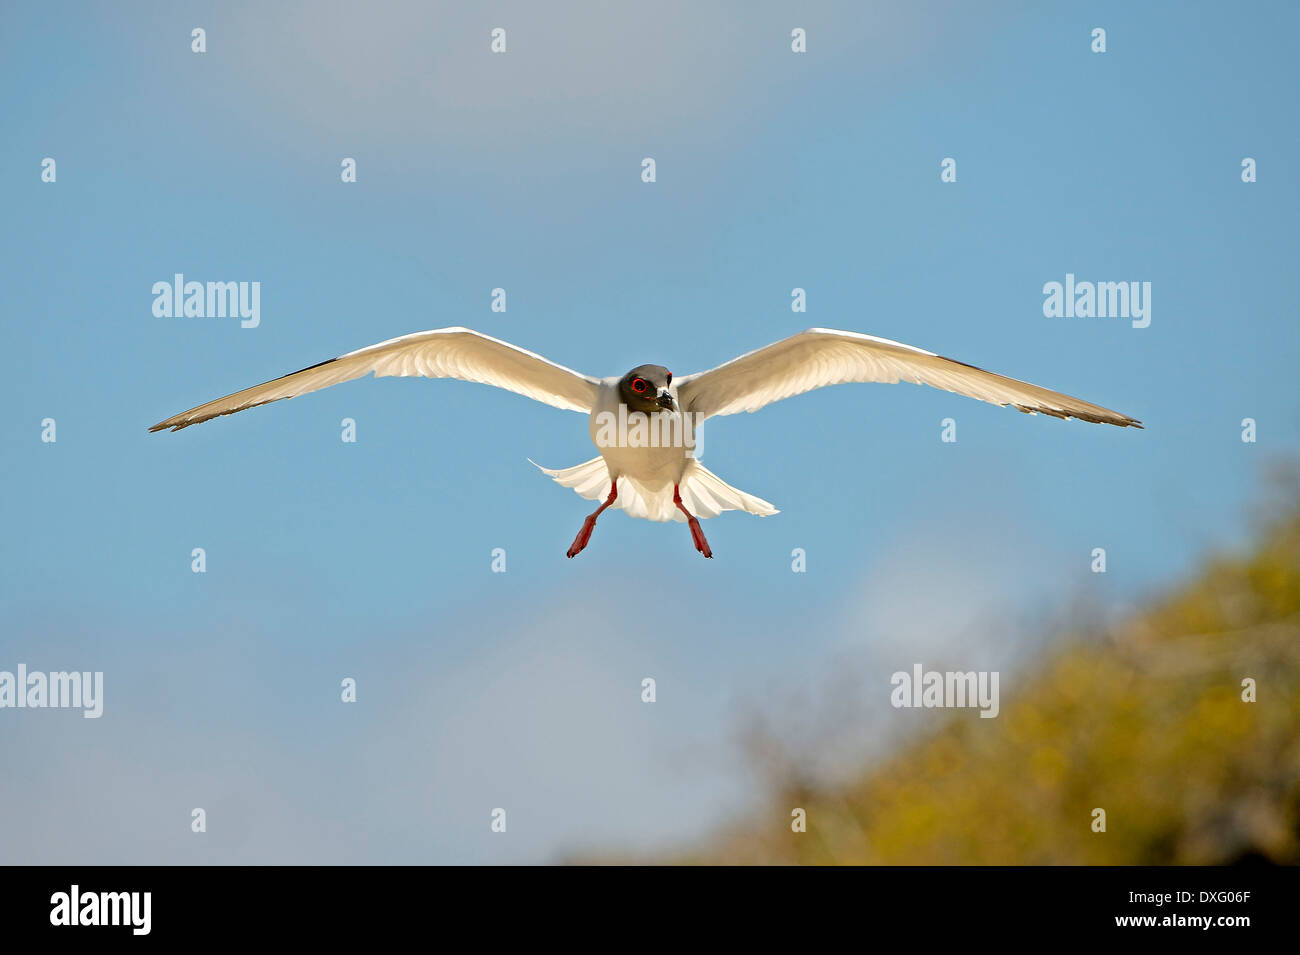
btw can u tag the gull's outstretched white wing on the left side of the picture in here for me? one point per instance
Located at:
(437, 354)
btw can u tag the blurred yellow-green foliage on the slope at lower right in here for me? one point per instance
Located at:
(1145, 720)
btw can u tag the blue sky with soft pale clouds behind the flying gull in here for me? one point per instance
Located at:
(522, 171)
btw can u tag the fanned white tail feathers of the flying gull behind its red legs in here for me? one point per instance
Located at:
(704, 493)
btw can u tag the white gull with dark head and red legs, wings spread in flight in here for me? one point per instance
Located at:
(644, 423)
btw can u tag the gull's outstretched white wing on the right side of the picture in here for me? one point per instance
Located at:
(825, 357)
